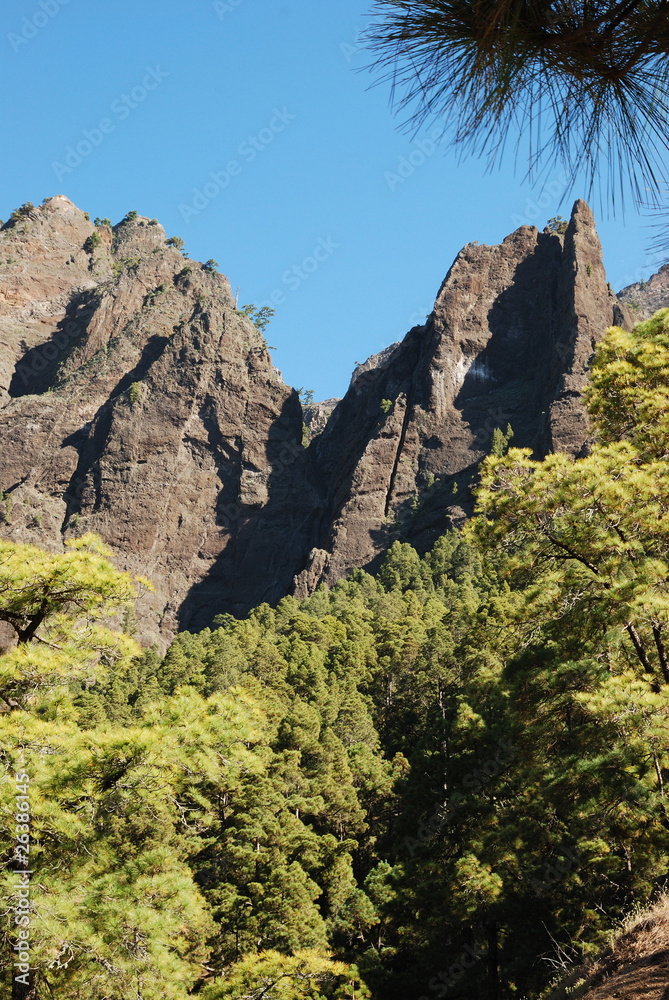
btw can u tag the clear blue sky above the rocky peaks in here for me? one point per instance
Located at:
(243, 126)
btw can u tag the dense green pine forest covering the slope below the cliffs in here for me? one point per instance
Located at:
(446, 780)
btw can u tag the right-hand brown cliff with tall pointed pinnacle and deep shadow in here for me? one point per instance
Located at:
(508, 342)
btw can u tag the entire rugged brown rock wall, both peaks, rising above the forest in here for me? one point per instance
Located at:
(135, 401)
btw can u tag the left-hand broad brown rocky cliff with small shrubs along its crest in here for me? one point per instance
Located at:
(138, 403)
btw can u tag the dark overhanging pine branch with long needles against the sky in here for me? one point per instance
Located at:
(578, 81)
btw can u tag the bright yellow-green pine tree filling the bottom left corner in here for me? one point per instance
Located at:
(116, 815)
